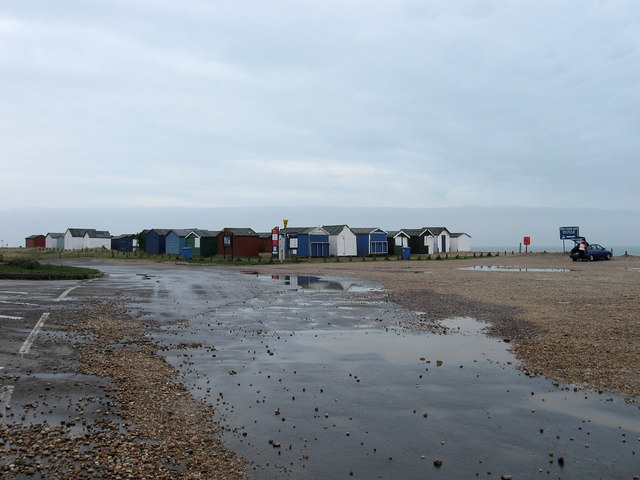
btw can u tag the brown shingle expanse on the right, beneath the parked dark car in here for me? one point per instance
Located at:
(580, 326)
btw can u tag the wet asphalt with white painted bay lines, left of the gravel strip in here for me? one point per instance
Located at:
(38, 377)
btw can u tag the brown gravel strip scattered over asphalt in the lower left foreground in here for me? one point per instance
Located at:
(152, 427)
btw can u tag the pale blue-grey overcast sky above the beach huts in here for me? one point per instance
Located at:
(496, 118)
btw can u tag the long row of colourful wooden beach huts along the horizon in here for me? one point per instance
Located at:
(322, 241)
